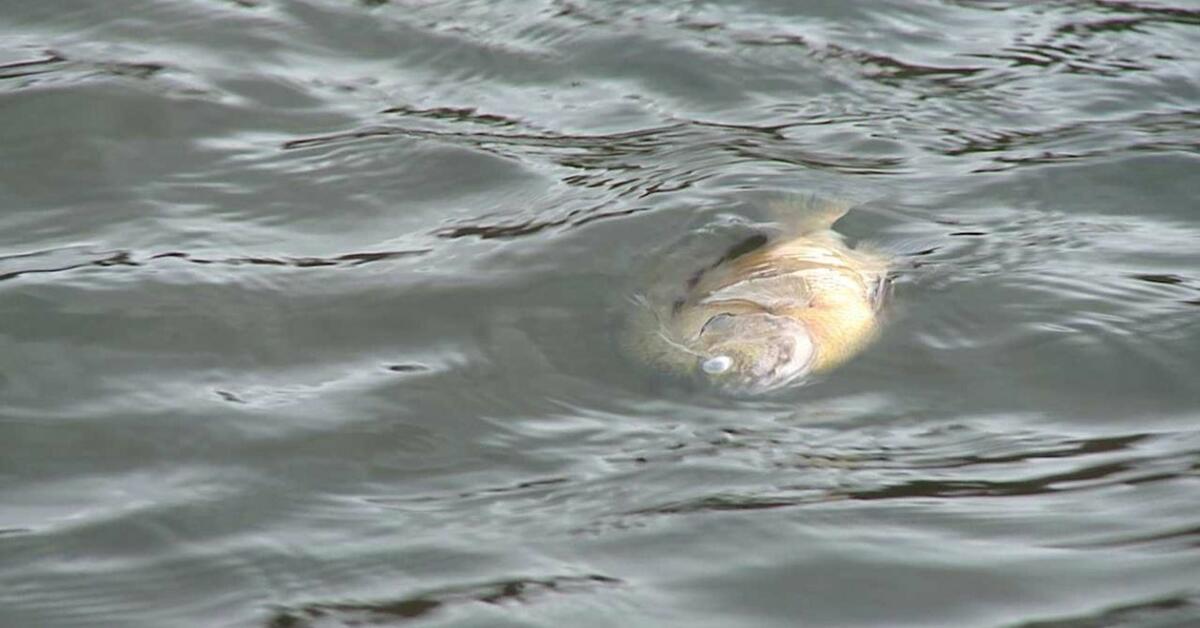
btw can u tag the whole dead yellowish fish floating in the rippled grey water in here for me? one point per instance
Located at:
(770, 313)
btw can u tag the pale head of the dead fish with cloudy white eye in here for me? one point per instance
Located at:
(754, 352)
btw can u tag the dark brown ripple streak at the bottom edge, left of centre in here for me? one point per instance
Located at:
(501, 594)
